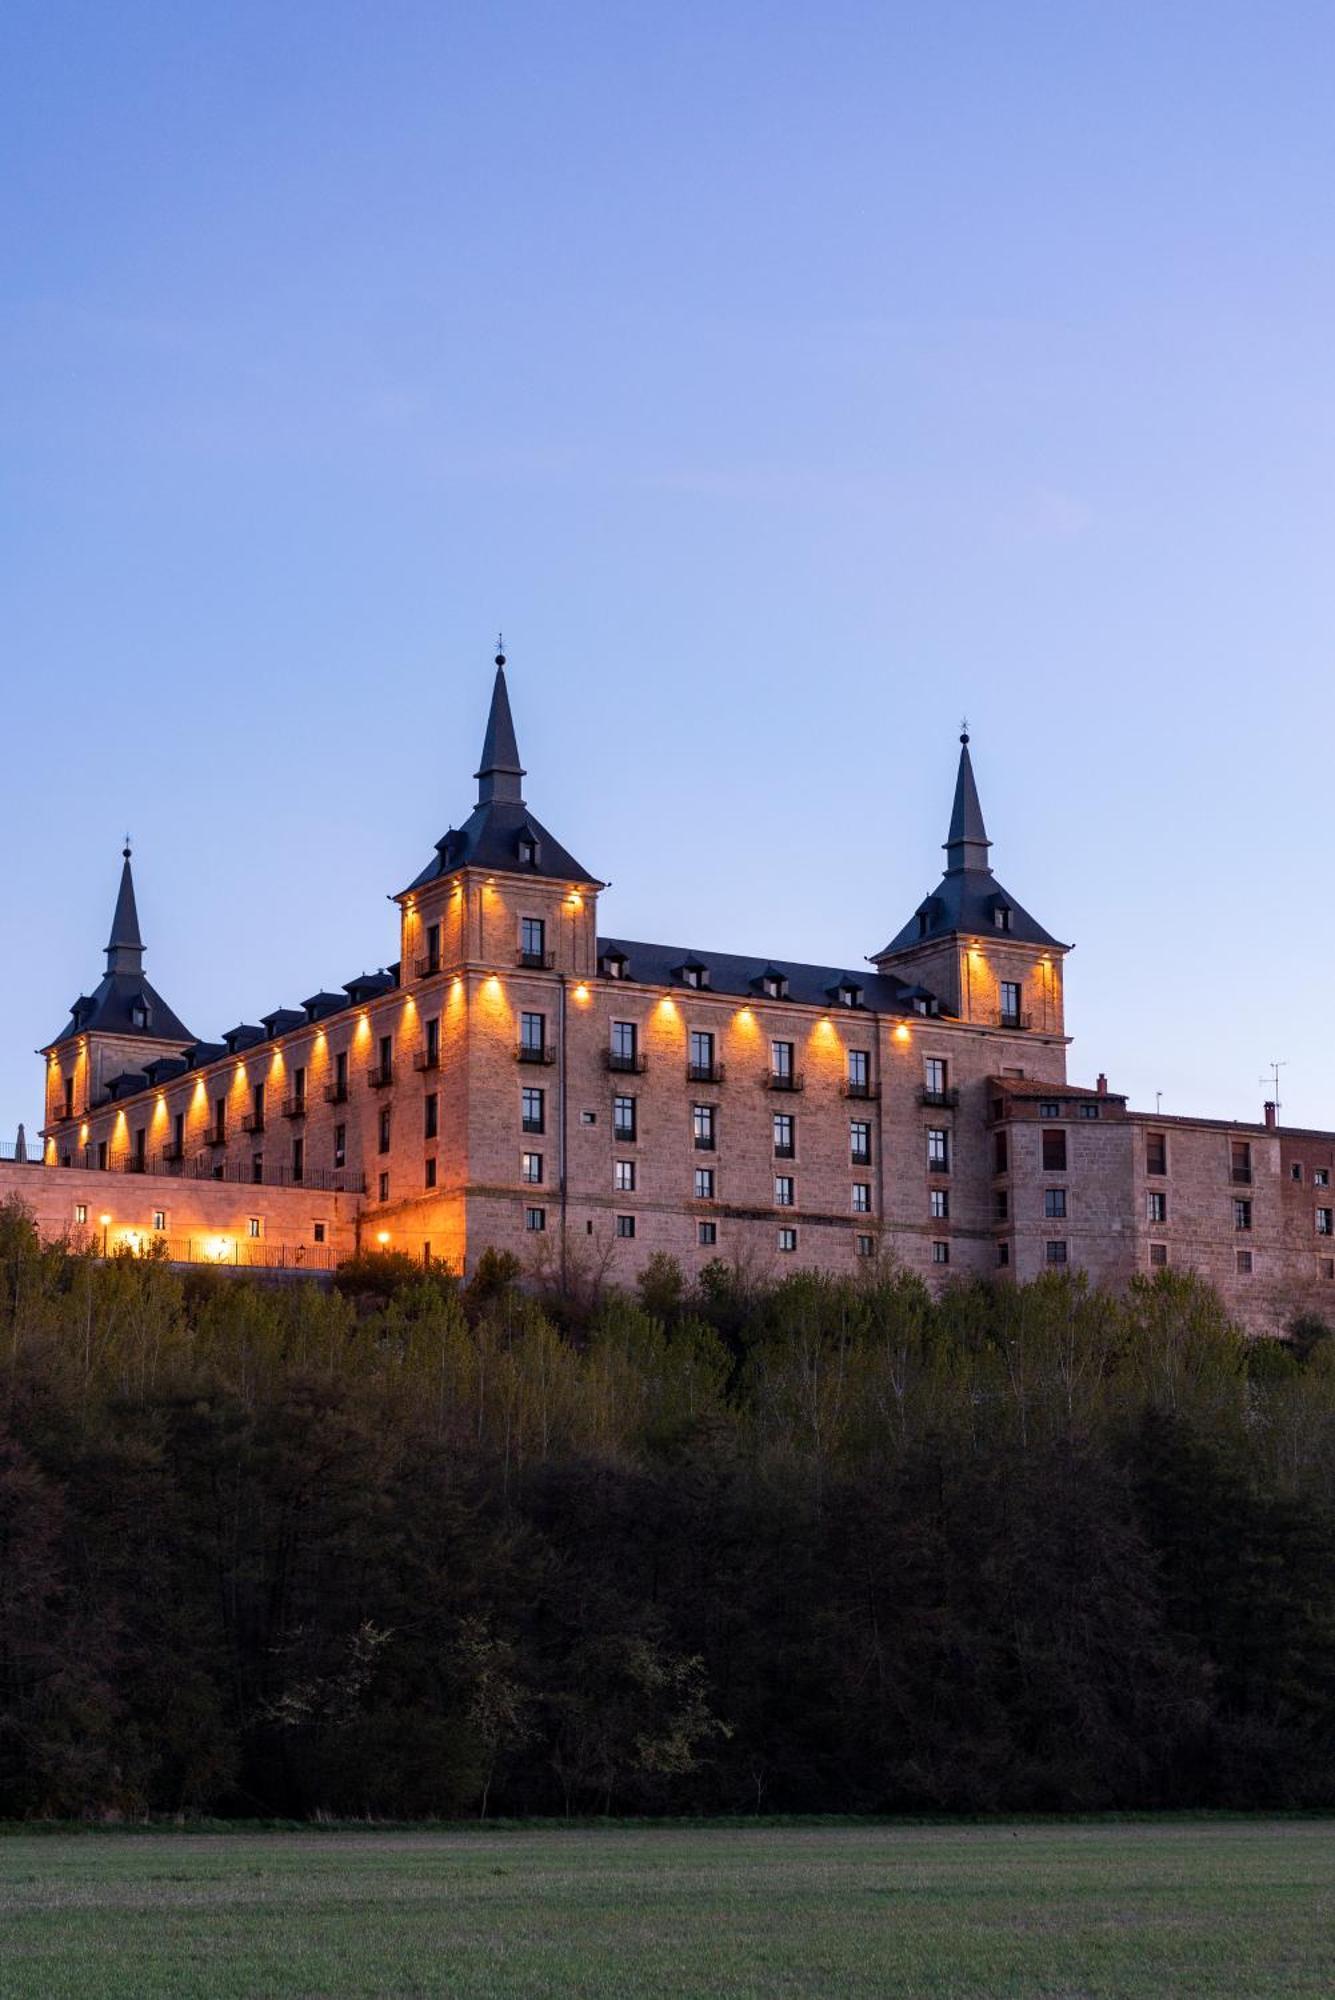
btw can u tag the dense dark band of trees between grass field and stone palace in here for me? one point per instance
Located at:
(409, 1547)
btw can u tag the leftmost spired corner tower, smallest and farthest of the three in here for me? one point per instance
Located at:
(115, 1029)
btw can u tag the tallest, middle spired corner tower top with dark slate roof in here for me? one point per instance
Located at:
(501, 891)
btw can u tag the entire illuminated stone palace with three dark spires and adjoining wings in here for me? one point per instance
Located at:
(517, 1081)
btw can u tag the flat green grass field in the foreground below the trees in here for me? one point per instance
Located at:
(1240, 1909)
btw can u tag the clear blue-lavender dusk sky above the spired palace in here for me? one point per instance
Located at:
(786, 381)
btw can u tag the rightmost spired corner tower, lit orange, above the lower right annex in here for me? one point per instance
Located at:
(974, 945)
